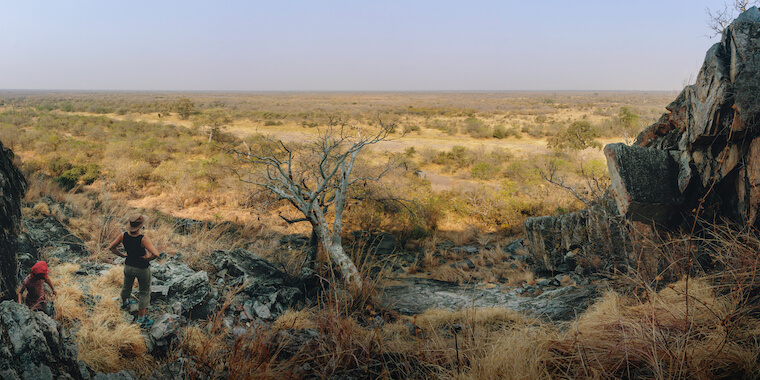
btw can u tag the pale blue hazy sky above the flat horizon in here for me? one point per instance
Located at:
(336, 45)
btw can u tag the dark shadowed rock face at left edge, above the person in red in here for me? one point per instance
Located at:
(12, 189)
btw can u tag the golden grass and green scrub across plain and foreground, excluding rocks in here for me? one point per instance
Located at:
(467, 169)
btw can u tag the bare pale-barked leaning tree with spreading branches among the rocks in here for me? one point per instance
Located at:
(315, 178)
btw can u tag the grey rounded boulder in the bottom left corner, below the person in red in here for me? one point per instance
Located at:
(35, 347)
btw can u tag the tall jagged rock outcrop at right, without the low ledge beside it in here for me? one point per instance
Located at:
(704, 153)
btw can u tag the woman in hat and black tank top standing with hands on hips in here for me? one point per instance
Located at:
(140, 251)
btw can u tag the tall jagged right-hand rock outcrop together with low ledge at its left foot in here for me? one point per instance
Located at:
(701, 159)
